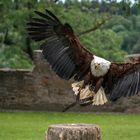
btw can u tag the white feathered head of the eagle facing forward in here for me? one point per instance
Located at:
(99, 66)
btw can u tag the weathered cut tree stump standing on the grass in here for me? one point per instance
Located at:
(73, 132)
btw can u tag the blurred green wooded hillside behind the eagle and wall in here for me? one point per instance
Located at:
(118, 36)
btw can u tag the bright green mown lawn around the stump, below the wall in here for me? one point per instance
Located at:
(32, 125)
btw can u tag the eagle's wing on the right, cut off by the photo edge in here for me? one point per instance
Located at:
(124, 79)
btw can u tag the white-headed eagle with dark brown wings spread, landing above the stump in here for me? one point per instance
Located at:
(94, 75)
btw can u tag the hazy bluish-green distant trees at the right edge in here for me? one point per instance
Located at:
(129, 29)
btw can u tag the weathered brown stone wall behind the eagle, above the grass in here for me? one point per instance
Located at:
(41, 89)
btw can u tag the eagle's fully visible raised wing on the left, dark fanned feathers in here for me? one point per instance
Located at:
(61, 47)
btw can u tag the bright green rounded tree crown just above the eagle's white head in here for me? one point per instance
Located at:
(106, 44)
